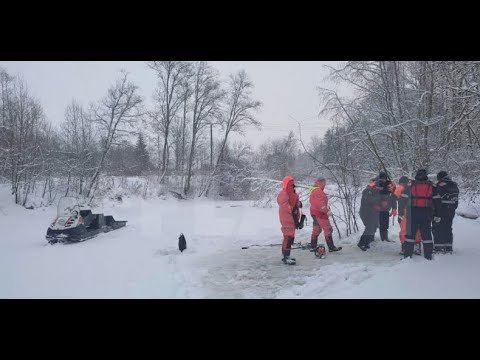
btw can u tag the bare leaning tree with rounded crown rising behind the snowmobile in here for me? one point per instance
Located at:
(115, 114)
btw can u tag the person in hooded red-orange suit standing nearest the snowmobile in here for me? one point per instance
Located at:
(288, 211)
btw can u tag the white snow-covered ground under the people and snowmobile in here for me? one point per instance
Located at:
(142, 259)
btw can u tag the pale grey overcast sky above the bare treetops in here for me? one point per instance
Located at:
(286, 88)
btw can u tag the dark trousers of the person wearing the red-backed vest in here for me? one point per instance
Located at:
(419, 219)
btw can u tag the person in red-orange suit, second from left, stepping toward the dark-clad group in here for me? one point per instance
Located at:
(320, 211)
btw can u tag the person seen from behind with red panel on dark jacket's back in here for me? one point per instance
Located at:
(421, 202)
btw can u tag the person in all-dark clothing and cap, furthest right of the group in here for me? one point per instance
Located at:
(447, 195)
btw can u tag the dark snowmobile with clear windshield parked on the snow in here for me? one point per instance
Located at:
(75, 223)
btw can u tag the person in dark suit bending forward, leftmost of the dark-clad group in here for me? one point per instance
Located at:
(370, 206)
